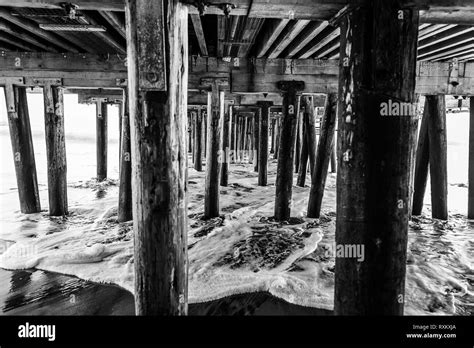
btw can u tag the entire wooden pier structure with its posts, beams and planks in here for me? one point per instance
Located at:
(233, 80)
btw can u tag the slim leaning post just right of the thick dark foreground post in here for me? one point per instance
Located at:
(421, 163)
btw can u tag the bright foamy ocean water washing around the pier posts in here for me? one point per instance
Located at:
(91, 245)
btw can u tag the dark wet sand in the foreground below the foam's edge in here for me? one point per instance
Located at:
(35, 292)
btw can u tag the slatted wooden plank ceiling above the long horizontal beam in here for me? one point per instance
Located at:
(215, 35)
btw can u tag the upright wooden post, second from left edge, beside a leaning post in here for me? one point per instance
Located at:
(55, 149)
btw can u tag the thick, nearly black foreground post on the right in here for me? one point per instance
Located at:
(377, 69)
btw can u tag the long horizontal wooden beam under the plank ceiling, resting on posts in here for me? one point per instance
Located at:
(248, 76)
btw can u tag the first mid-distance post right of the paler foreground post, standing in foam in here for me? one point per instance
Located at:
(214, 125)
